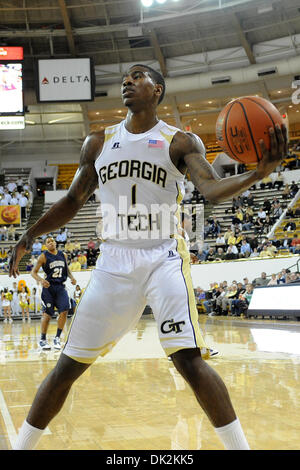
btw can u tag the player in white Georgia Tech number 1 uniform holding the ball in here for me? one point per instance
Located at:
(138, 163)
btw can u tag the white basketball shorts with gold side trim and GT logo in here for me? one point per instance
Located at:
(123, 282)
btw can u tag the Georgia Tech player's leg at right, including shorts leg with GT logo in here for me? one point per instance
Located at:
(171, 296)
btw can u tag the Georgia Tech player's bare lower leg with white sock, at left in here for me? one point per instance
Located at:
(48, 401)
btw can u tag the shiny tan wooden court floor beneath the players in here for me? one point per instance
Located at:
(134, 399)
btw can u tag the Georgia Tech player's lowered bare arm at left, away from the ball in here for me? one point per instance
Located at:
(83, 185)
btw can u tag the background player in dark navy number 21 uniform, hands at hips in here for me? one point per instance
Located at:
(54, 293)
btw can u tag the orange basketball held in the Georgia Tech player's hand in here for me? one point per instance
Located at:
(242, 123)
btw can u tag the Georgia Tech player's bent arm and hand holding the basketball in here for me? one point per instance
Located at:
(217, 189)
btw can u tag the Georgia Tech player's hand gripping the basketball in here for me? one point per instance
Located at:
(278, 151)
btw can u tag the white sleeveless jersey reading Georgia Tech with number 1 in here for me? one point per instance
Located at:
(140, 188)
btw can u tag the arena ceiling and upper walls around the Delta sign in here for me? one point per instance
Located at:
(181, 38)
